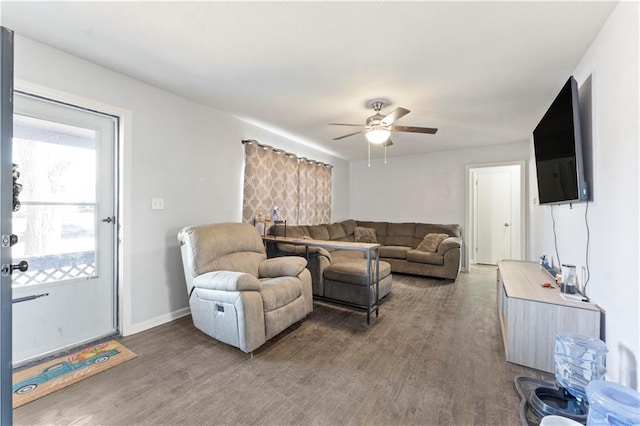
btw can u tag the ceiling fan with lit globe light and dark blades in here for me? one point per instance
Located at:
(378, 127)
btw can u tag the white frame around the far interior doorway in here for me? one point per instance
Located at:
(470, 206)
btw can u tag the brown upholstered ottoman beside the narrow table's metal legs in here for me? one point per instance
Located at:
(346, 281)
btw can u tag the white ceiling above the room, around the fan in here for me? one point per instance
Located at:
(481, 72)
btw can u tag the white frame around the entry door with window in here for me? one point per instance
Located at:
(124, 136)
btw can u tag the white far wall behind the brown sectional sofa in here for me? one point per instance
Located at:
(422, 188)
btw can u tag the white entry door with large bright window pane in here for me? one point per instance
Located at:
(65, 225)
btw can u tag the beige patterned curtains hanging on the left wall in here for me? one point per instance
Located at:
(299, 187)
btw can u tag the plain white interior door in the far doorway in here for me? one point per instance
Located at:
(493, 204)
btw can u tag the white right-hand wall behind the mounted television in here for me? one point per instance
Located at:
(610, 66)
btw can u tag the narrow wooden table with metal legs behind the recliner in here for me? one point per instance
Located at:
(372, 250)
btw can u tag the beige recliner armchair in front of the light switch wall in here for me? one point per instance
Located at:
(236, 294)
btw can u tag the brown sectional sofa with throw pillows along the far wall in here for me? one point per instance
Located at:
(332, 270)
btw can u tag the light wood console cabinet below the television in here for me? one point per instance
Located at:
(531, 315)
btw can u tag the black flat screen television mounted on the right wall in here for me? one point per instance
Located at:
(557, 142)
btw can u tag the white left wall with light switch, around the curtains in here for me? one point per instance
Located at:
(174, 148)
